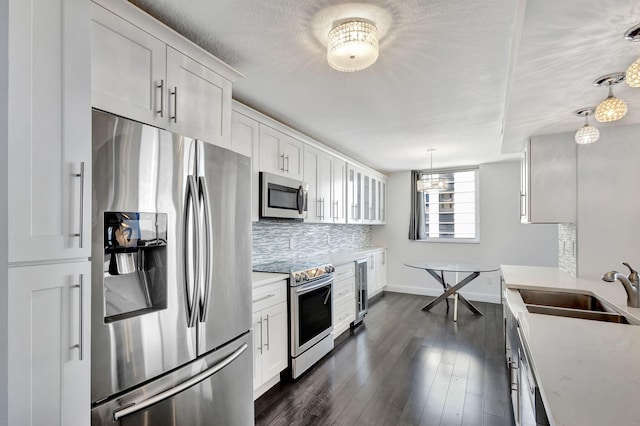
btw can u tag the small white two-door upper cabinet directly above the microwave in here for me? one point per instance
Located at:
(280, 153)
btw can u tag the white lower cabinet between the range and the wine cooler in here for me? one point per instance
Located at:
(344, 302)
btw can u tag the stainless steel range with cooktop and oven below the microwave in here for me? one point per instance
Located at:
(310, 311)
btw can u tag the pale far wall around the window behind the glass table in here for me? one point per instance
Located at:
(503, 239)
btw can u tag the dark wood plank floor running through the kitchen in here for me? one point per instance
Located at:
(403, 367)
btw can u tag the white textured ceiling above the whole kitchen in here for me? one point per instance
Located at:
(446, 77)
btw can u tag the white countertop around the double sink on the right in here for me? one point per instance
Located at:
(588, 371)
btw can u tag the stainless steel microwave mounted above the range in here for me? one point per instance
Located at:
(282, 197)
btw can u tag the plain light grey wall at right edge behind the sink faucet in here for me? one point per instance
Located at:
(609, 202)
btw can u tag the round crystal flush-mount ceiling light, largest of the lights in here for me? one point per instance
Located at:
(352, 45)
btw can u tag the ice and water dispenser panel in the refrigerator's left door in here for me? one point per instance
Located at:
(135, 261)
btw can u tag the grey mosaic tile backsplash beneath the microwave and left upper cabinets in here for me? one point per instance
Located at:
(277, 240)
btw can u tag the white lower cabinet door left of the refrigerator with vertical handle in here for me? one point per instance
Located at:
(49, 344)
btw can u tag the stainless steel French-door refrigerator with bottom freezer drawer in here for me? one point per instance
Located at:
(171, 279)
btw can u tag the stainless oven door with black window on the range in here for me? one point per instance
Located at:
(311, 314)
